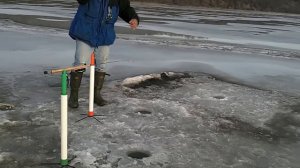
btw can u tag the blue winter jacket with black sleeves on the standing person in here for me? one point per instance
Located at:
(94, 21)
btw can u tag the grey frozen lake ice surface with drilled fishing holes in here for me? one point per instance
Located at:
(236, 106)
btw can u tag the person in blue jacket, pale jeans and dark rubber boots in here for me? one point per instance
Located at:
(93, 30)
